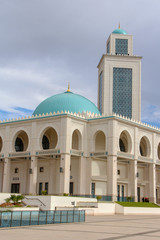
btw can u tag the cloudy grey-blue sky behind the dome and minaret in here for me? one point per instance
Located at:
(44, 44)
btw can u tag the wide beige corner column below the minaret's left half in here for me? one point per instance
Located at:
(112, 177)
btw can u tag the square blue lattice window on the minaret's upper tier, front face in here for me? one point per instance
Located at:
(121, 46)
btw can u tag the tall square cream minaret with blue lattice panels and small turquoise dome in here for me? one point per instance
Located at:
(119, 77)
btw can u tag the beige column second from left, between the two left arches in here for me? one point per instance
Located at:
(33, 175)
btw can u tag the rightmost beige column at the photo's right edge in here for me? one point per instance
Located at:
(152, 183)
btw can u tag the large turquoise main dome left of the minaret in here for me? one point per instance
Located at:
(66, 101)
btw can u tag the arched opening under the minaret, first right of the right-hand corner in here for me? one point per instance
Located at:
(125, 142)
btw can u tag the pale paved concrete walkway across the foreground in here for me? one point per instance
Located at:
(95, 228)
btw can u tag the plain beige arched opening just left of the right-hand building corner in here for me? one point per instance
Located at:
(100, 142)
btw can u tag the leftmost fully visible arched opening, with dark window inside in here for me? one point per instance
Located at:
(21, 142)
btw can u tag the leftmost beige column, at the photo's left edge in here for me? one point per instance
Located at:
(6, 187)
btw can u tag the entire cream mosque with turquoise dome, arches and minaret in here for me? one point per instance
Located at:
(71, 146)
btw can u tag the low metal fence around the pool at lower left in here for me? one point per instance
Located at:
(26, 218)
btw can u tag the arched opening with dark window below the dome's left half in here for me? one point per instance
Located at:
(49, 139)
